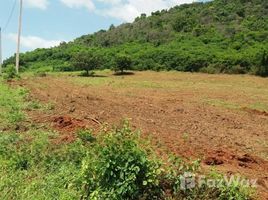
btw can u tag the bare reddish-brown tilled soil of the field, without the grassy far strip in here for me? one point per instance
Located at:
(232, 140)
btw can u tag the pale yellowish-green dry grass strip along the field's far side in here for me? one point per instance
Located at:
(227, 91)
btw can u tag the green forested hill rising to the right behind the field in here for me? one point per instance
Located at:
(222, 36)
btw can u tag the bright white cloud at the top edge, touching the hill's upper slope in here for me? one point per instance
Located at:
(130, 9)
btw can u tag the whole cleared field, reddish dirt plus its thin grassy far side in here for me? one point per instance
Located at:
(221, 119)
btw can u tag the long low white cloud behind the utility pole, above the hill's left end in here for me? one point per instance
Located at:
(33, 42)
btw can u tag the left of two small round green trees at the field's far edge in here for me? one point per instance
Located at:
(86, 61)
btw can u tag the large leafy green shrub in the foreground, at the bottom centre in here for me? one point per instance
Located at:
(118, 168)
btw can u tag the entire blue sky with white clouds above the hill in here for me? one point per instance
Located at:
(46, 23)
